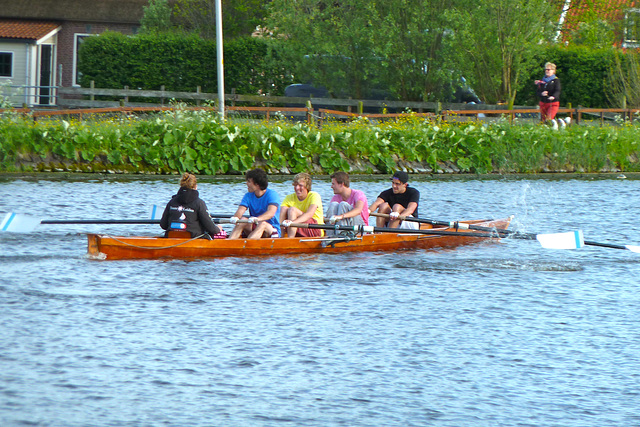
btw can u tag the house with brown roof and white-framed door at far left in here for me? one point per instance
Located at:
(39, 42)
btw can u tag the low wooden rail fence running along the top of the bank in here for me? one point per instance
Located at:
(82, 101)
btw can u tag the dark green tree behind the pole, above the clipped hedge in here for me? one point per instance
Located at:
(239, 17)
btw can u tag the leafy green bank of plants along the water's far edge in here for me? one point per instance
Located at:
(195, 141)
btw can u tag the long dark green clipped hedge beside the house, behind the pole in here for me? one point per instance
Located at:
(181, 63)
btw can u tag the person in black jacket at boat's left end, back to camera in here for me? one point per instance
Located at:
(186, 211)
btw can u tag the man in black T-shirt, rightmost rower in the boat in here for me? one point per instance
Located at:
(398, 201)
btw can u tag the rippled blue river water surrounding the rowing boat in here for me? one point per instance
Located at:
(501, 334)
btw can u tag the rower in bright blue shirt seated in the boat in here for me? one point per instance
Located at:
(264, 209)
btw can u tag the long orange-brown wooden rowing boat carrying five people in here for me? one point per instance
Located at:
(109, 247)
